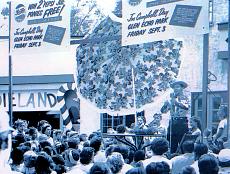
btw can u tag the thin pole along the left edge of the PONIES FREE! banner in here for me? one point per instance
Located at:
(10, 71)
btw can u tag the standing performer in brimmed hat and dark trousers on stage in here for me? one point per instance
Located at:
(178, 106)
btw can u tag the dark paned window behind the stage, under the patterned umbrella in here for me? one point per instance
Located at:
(111, 121)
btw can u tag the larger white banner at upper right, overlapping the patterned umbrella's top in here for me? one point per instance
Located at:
(154, 20)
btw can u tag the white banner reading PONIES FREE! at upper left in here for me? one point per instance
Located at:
(39, 25)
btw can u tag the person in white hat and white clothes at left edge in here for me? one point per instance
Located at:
(5, 143)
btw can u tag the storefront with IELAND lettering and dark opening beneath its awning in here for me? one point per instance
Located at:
(34, 98)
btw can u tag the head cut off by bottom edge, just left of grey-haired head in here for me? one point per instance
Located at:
(100, 168)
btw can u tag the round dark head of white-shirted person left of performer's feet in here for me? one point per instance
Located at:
(159, 146)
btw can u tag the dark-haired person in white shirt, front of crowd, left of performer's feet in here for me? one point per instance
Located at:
(159, 147)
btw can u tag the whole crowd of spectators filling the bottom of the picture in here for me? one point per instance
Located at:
(43, 150)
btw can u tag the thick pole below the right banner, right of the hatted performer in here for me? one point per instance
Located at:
(205, 81)
